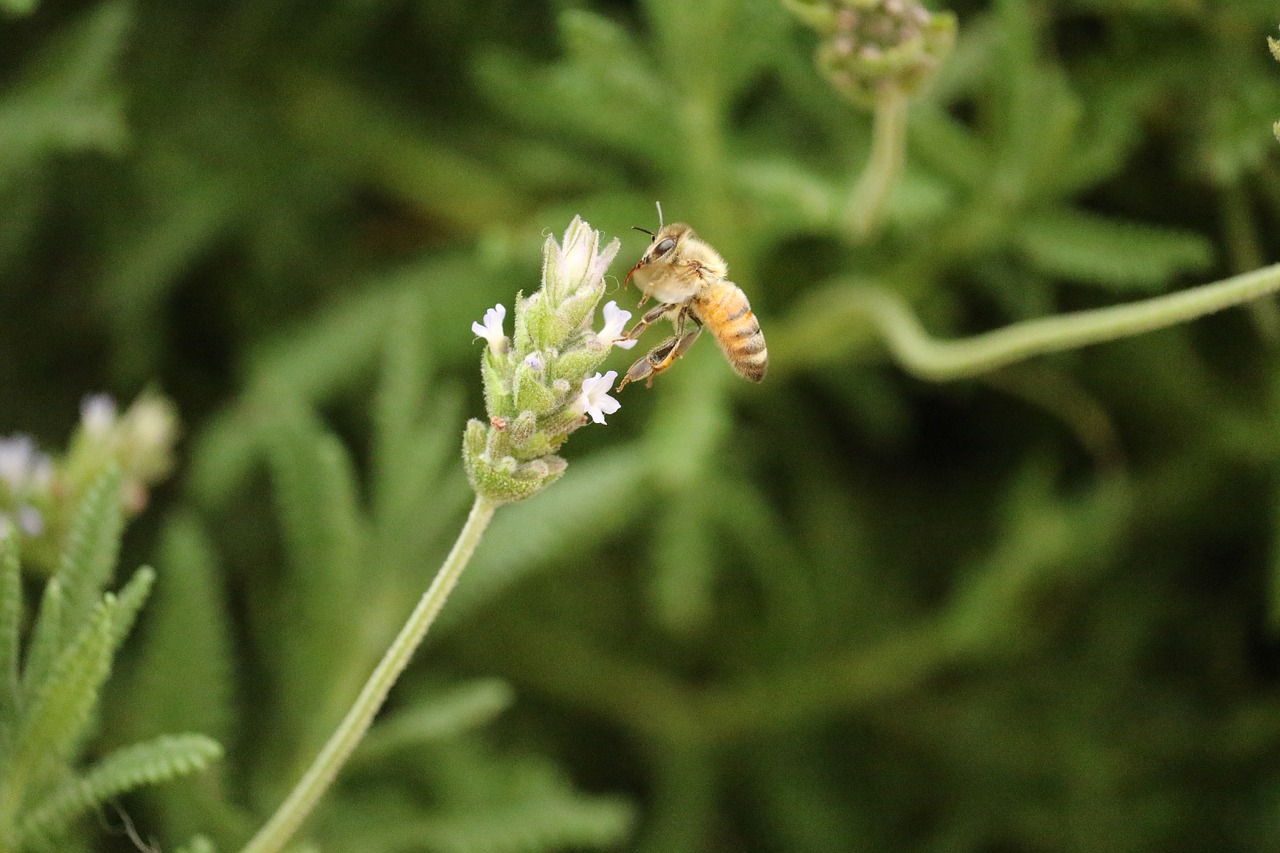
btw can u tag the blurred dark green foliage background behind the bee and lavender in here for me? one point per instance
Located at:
(844, 610)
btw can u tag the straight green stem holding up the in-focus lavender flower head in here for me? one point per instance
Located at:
(344, 741)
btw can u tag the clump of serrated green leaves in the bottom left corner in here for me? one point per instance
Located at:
(48, 705)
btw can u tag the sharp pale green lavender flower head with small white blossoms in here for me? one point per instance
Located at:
(538, 385)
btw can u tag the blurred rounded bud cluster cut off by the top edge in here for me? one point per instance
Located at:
(868, 45)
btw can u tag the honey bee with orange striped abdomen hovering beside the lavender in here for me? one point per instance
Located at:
(687, 276)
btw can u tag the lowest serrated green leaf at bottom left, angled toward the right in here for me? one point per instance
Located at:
(126, 769)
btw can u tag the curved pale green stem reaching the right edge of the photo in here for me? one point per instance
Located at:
(943, 361)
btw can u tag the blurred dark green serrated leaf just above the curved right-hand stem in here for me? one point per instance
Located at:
(1108, 253)
